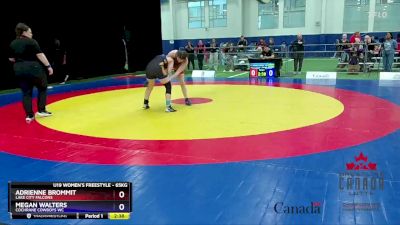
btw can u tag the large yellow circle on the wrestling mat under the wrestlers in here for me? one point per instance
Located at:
(235, 110)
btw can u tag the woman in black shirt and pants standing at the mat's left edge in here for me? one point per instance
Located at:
(29, 66)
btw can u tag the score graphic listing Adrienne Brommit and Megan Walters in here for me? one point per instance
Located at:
(69, 200)
